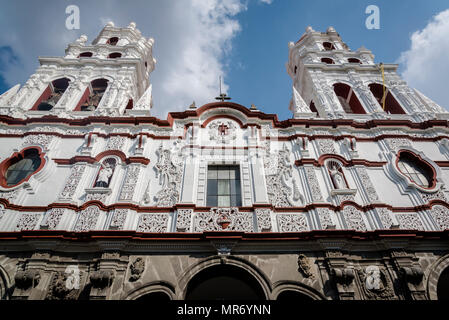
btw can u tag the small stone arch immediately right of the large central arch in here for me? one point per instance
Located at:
(294, 288)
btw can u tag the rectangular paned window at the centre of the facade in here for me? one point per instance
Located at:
(223, 186)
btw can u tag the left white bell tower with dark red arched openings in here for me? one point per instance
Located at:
(109, 77)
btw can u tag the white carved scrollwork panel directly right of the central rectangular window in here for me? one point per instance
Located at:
(278, 170)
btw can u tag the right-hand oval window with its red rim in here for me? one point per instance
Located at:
(416, 170)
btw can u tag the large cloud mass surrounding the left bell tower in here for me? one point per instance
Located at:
(192, 38)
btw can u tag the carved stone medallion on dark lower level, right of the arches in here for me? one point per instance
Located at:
(376, 283)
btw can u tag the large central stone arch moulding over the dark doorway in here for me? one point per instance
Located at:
(246, 268)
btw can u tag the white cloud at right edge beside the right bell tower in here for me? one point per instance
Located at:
(426, 64)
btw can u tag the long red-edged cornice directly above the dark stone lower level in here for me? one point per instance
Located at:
(32, 235)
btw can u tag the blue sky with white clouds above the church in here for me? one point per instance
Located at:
(244, 41)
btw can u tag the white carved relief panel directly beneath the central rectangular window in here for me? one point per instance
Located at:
(219, 219)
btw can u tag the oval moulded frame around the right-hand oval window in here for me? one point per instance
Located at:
(435, 184)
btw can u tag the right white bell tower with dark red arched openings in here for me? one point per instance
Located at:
(331, 81)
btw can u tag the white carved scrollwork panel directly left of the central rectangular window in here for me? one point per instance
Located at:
(169, 170)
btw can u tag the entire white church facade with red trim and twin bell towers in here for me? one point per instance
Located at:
(347, 199)
